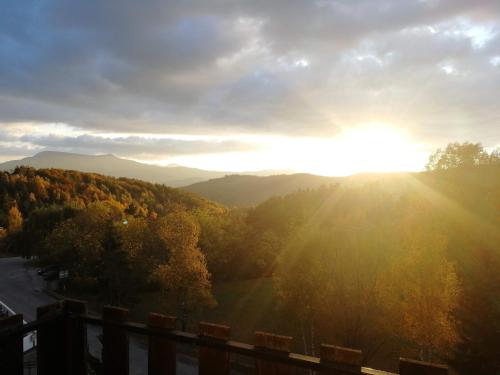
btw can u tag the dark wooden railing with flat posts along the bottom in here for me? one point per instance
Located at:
(62, 346)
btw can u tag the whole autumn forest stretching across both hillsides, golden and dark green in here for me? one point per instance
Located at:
(403, 265)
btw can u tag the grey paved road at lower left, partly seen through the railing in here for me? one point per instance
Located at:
(21, 288)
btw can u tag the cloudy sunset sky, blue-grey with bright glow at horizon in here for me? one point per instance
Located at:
(320, 86)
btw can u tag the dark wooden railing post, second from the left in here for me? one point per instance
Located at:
(51, 350)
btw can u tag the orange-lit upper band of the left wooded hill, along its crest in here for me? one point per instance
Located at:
(34, 189)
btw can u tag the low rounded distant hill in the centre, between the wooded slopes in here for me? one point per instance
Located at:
(246, 190)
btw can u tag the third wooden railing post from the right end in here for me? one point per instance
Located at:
(281, 345)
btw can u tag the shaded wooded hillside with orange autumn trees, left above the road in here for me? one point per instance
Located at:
(115, 236)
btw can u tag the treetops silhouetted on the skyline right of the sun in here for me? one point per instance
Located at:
(465, 154)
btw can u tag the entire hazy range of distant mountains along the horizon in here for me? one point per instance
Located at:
(233, 190)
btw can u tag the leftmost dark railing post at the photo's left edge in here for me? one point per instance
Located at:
(11, 347)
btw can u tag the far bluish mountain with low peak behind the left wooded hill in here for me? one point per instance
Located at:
(111, 165)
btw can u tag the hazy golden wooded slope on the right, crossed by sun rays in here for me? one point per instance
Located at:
(379, 267)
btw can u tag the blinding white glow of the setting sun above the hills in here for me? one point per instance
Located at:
(373, 147)
